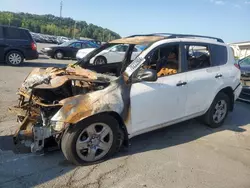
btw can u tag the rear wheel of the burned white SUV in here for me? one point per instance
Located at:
(218, 111)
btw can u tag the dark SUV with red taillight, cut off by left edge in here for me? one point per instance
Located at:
(16, 44)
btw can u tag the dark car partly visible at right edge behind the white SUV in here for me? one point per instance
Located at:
(244, 65)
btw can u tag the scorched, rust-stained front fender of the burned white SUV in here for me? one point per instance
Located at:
(111, 99)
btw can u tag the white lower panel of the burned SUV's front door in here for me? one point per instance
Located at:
(154, 103)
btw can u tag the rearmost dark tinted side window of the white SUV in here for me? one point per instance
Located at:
(218, 55)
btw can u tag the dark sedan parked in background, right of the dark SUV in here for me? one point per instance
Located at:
(68, 49)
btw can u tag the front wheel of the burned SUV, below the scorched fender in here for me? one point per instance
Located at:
(91, 141)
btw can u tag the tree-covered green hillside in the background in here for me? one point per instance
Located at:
(50, 24)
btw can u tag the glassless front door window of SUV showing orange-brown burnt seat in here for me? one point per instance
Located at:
(165, 60)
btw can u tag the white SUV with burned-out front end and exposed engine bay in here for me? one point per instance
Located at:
(92, 115)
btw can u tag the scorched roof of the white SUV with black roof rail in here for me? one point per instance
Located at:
(147, 38)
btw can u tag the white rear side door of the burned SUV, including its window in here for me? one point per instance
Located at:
(204, 77)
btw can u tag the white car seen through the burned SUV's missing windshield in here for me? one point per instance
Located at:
(113, 54)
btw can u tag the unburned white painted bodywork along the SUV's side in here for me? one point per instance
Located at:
(161, 103)
